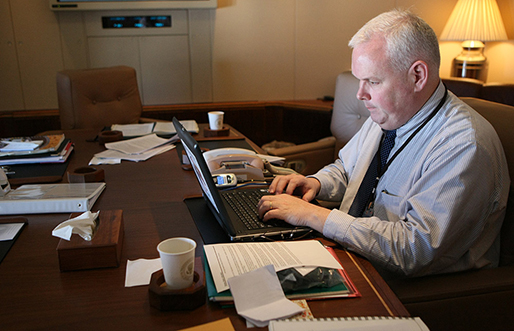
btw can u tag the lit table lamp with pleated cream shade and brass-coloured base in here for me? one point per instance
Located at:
(473, 22)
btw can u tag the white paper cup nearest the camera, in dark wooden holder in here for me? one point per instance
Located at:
(178, 262)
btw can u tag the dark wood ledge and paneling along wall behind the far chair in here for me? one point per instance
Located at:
(262, 122)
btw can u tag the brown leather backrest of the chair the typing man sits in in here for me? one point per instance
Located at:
(501, 117)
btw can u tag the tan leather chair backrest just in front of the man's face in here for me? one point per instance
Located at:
(349, 113)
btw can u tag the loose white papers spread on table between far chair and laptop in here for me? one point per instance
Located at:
(137, 149)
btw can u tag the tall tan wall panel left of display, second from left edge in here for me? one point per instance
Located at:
(38, 45)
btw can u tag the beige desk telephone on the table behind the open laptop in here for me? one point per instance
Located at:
(245, 164)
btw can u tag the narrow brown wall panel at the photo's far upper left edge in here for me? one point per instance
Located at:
(11, 97)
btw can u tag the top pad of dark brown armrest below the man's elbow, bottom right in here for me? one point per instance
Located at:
(455, 285)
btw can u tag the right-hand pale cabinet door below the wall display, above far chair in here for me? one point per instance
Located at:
(165, 64)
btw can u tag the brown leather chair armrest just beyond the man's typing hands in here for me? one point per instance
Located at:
(307, 158)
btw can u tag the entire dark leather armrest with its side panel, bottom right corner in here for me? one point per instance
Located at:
(470, 300)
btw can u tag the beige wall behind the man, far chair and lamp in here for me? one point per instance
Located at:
(261, 49)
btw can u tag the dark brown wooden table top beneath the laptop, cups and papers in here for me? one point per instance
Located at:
(36, 295)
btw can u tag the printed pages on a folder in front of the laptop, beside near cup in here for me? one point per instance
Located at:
(224, 261)
